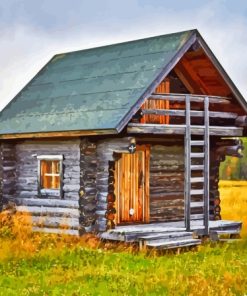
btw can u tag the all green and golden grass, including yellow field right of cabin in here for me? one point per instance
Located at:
(39, 264)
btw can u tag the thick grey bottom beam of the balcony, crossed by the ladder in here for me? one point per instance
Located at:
(171, 129)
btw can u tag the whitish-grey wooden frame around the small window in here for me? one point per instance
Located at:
(50, 192)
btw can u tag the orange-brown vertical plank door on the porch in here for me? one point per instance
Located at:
(132, 187)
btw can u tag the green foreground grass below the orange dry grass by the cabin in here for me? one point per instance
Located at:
(217, 270)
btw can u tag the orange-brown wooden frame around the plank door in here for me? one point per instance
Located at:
(146, 203)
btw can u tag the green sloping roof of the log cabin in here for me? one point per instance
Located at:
(91, 89)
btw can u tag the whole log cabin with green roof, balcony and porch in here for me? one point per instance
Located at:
(125, 141)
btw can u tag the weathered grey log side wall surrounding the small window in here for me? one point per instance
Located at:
(20, 183)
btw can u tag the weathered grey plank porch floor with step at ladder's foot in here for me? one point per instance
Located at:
(166, 235)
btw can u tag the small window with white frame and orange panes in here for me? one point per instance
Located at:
(50, 175)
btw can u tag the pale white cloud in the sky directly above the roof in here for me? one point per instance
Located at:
(25, 48)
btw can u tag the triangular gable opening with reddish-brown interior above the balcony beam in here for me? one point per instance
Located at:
(194, 74)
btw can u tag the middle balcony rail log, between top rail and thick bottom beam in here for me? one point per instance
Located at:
(212, 114)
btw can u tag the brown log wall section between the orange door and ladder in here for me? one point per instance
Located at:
(166, 183)
